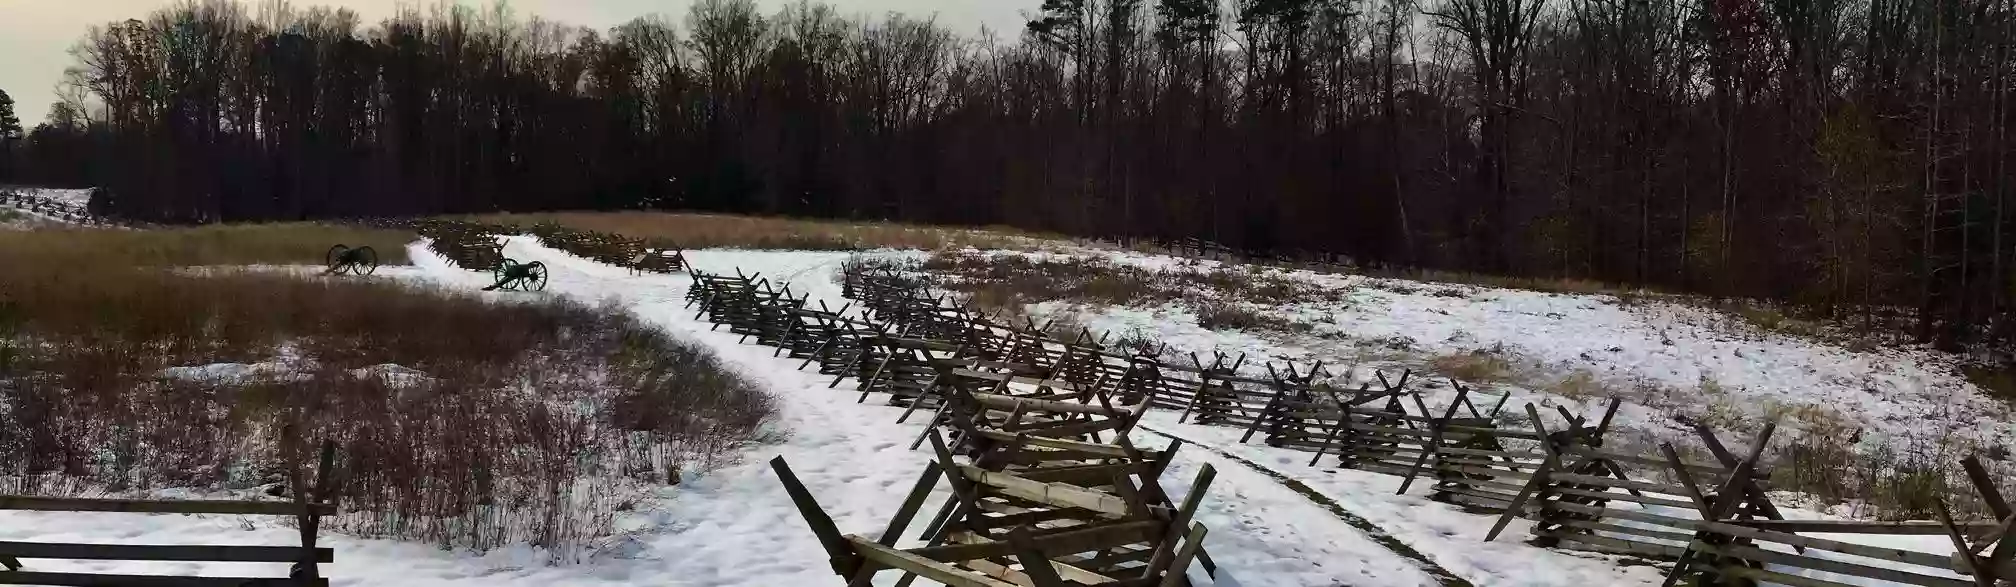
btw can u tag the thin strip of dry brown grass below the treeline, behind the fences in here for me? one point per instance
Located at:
(725, 231)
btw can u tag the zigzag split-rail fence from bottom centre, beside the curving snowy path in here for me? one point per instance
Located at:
(1027, 431)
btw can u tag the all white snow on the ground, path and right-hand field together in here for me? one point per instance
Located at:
(1342, 527)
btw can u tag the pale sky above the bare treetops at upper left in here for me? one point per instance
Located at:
(35, 35)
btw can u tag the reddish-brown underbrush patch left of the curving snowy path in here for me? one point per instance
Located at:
(459, 421)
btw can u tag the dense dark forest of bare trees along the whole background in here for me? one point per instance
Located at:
(1838, 154)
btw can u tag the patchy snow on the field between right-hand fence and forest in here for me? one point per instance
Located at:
(1666, 360)
